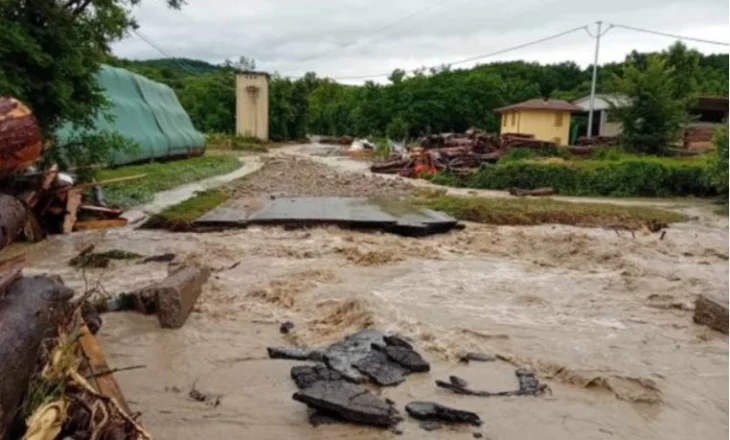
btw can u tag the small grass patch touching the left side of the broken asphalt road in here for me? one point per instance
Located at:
(179, 217)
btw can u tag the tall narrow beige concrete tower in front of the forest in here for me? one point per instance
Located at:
(252, 104)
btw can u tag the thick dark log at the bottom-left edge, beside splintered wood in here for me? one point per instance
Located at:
(29, 313)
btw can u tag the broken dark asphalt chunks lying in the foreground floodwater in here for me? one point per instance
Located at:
(338, 386)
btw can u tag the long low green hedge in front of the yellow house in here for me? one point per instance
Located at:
(636, 177)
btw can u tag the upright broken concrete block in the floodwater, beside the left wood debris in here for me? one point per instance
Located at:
(175, 296)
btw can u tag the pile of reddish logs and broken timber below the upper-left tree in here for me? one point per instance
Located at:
(37, 201)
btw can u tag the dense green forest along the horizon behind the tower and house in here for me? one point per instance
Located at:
(433, 100)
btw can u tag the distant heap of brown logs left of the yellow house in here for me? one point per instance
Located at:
(455, 152)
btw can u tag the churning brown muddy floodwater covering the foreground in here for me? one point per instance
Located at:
(604, 319)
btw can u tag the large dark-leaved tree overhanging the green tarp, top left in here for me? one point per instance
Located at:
(50, 52)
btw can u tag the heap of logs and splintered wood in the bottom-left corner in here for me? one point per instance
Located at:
(55, 381)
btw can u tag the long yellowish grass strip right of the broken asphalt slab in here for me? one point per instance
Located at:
(540, 211)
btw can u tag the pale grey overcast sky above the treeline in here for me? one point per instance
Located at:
(342, 38)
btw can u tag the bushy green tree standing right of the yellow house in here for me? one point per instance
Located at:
(654, 119)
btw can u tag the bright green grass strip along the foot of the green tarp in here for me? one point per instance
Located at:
(161, 177)
